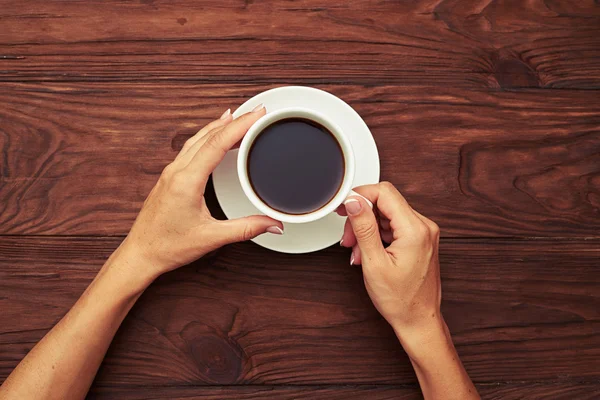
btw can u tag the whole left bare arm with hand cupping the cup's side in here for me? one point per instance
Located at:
(173, 228)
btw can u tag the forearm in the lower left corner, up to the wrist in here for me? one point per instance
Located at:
(63, 364)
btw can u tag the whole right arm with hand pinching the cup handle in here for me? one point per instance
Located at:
(403, 281)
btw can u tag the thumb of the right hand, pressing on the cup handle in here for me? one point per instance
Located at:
(365, 227)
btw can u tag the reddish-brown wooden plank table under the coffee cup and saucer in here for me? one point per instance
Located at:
(487, 118)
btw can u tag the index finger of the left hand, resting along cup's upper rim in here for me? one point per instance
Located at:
(212, 152)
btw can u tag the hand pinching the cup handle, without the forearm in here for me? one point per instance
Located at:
(402, 279)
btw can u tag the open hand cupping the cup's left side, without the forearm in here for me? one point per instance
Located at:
(174, 226)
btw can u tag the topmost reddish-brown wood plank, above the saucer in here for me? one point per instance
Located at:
(450, 43)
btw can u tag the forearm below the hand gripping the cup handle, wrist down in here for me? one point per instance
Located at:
(439, 370)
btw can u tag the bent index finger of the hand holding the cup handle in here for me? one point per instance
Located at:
(391, 205)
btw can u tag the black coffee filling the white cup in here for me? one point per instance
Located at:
(295, 166)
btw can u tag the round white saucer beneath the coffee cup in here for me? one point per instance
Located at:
(313, 236)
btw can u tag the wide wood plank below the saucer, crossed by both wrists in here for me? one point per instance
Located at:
(251, 316)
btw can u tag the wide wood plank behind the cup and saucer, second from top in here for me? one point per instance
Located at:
(79, 158)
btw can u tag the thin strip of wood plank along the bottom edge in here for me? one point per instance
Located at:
(556, 391)
